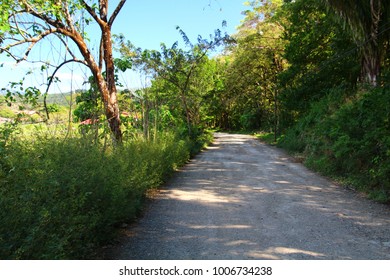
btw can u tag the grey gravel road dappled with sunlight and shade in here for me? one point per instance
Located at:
(241, 199)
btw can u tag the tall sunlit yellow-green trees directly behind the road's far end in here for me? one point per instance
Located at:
(245, 92)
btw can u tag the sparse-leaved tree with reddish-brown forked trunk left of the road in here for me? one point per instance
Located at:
(24, 23)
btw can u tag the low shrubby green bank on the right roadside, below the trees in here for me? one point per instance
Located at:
(348, 136)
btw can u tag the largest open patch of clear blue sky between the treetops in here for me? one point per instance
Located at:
(147, 23)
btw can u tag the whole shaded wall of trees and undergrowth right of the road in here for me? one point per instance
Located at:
(334, 112)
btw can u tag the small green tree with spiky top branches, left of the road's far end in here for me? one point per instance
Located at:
(181, 76)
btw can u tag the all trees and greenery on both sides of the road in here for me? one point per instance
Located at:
(309, 76)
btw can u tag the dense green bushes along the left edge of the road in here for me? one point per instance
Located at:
(59, 199)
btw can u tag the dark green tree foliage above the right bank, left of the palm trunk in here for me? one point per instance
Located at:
(320, 52)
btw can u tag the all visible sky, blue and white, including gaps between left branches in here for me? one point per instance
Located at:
(146, 24)
